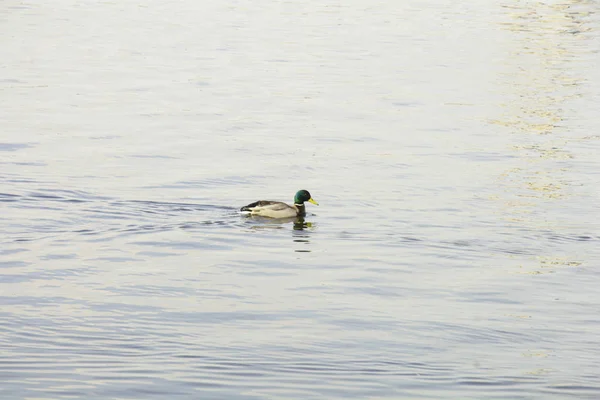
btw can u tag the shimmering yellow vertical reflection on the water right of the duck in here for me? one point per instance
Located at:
(541, 76)
